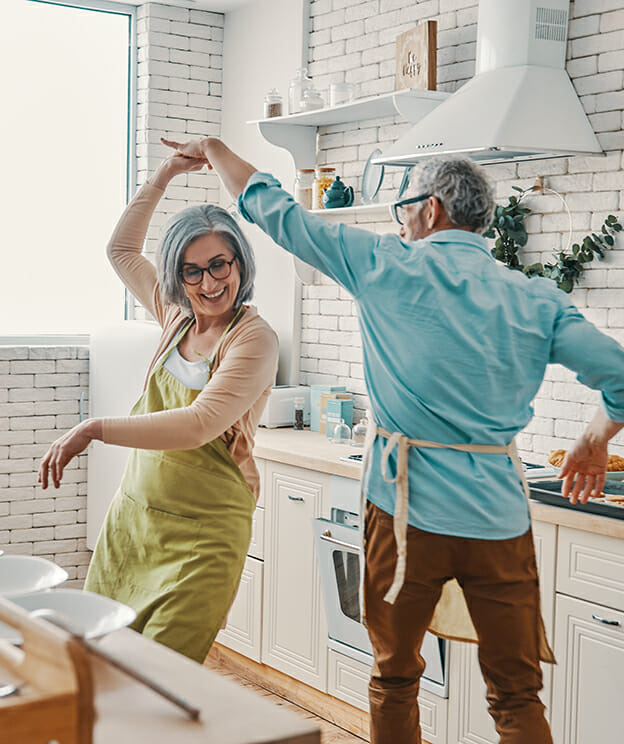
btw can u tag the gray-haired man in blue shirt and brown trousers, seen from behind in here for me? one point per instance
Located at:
(455, 348)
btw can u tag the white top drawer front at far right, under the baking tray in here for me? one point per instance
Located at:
(591, 567)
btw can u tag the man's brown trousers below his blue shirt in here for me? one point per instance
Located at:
(500, 583)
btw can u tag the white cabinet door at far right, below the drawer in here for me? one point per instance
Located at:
(589, 676)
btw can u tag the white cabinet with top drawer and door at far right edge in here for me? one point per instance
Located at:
(589, 639)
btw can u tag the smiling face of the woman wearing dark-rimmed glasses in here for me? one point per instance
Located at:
(211, 298)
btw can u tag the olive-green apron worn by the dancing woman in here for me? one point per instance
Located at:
(176, 534)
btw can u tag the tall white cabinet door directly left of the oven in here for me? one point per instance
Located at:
(294, 626)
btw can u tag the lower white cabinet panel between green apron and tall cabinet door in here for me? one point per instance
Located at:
(243, 632)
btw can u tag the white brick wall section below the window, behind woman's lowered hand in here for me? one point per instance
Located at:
(40, 392)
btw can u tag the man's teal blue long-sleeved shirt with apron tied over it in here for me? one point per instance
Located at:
(455, 348)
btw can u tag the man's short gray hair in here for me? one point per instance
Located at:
(462, 188)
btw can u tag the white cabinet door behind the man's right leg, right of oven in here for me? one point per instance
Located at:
(470, 722)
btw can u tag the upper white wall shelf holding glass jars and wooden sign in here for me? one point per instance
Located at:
(297, 132)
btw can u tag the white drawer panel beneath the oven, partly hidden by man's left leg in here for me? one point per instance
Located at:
(347, 679)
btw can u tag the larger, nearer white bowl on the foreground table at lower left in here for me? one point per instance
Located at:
(92, 614)
